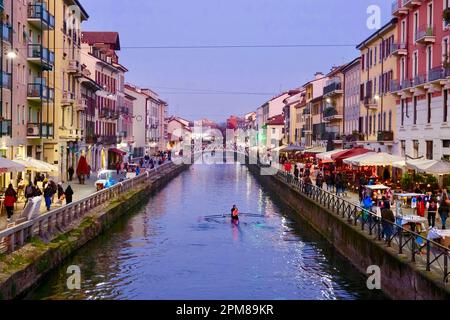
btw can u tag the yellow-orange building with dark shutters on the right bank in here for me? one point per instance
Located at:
(378, 105)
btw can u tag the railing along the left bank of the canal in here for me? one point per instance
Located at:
(47, 225)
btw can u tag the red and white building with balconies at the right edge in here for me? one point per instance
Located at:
(422, 83)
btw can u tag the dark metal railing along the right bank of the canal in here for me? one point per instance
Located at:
(420, 250)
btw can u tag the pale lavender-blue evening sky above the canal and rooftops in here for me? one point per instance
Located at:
(216, 83)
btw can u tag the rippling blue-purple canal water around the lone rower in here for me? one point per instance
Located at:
(173, 249)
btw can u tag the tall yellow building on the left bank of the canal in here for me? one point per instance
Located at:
(64, 148)
